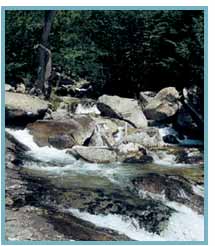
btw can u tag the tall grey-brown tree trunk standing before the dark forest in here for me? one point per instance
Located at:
(45, 63)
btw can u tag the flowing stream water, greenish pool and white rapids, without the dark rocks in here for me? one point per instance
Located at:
(63, 170)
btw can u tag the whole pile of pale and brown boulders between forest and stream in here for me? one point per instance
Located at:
(97, 131)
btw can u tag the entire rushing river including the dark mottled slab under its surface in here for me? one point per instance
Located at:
(104, 185)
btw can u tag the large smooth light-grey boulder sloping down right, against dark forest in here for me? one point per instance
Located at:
(127, 108)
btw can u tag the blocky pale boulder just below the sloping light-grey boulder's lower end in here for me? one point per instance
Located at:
(148, 137)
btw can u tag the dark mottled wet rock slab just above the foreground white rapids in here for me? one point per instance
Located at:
(149, 214)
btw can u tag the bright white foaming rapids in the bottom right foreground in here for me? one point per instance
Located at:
(184, 225)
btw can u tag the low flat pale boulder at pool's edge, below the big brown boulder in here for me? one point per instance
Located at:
(94, 154)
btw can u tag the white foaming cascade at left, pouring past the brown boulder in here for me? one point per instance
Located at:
(46, 153)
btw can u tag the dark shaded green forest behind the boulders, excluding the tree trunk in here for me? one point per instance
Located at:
(119, 52)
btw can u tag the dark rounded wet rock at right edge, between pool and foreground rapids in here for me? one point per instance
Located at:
(174, 188)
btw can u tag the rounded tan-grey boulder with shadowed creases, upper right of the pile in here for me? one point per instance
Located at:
(165, 104)
